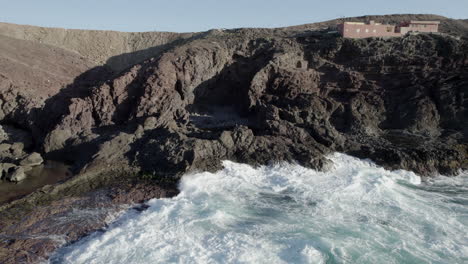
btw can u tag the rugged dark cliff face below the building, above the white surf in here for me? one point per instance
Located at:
(262, 95)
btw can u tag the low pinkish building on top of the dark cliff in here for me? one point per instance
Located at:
(372, 29)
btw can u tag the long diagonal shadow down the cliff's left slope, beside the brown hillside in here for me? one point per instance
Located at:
(47, 118)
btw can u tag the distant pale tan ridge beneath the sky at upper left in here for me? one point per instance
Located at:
(97, 46)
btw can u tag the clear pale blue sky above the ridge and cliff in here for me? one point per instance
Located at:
(200, 15)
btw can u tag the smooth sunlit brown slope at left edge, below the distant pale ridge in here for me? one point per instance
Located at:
(32, 70)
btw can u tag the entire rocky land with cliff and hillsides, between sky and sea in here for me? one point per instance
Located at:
(175, 103)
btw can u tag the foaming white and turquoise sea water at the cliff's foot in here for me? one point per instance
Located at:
(356, 212)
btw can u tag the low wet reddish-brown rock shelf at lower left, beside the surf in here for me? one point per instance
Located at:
(32, 235)
